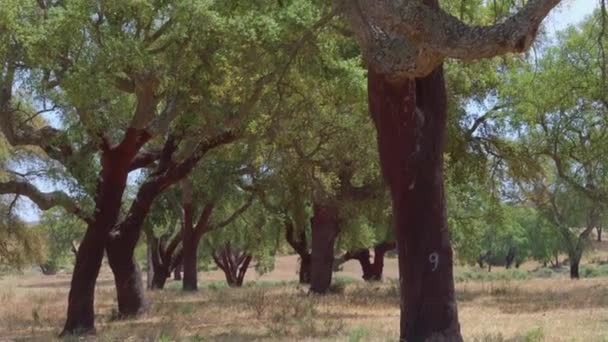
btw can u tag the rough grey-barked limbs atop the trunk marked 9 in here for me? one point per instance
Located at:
(422, 36)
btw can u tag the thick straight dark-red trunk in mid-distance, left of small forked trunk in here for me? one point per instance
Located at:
(324, 232)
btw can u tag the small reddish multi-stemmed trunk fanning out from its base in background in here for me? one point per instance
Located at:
(234, 263)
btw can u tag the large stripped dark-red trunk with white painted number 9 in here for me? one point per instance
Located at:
(410, 118)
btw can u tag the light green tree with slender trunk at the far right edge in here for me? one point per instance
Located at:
(564, 135)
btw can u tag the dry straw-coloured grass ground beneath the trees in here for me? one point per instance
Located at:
(545, 306)
